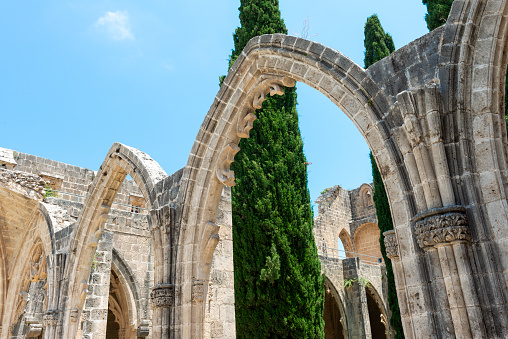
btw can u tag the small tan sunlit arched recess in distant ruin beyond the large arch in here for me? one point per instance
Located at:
(366, 240)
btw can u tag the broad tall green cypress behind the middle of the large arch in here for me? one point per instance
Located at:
(279, 290)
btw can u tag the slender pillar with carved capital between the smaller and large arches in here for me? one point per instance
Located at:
(162, 295)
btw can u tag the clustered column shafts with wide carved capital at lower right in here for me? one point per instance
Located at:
(443, 233)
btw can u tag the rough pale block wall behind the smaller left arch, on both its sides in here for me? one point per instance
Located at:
(127, 230)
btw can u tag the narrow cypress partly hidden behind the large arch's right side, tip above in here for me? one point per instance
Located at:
(379, 45)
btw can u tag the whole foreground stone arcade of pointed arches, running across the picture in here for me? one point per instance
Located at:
(432, 114)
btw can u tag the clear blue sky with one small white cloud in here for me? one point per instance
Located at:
(77, 76)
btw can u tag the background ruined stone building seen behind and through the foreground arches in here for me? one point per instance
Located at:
(38, 192)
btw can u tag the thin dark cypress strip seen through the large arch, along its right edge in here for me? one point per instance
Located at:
(385, 223)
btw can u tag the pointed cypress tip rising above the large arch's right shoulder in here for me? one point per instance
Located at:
(378, 44)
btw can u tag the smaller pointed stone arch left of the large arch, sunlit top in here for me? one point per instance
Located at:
(120, 161)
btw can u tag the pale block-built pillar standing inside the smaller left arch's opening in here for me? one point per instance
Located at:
(96, 303)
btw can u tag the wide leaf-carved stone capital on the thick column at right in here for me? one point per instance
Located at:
(440, 226)
